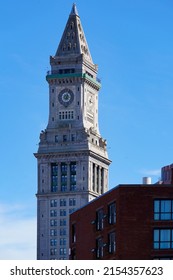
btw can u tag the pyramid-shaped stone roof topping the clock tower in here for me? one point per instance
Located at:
(73, 41)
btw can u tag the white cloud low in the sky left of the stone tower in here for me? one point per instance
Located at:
(17, 233)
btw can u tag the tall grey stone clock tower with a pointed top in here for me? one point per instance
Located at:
(72, 156)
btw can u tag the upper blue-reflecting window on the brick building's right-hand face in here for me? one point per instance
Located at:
(163, 209)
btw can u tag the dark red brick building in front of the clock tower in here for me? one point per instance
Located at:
(128, 222)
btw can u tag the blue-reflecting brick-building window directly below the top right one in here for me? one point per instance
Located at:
(163, 239)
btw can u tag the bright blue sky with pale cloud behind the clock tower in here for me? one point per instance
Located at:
(132, 43)
